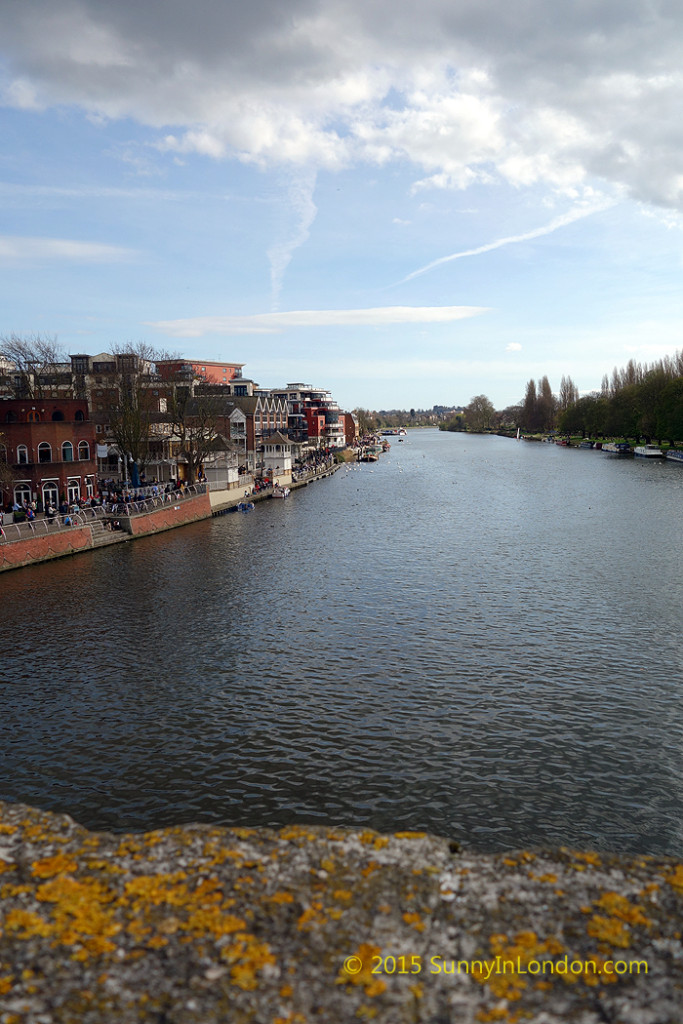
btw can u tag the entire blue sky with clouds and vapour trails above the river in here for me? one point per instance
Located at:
(407, 204)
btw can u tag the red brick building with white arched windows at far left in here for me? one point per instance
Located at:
(50, 446)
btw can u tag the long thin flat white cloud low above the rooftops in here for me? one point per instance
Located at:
(274, 323)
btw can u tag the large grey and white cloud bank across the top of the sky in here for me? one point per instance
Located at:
(475, 93)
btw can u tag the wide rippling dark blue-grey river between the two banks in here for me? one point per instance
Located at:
(475, 636)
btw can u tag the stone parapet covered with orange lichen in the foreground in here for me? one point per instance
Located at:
(201, 925)
